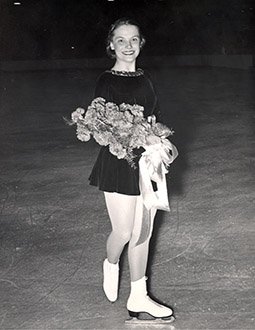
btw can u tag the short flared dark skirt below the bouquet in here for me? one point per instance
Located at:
(111, 174)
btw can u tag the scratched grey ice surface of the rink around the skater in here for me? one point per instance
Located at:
(54, 225)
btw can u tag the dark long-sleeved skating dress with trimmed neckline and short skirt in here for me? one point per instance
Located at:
(109, 173)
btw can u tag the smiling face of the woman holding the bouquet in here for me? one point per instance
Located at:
(126, 43)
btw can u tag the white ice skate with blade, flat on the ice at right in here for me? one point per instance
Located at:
(139, 302)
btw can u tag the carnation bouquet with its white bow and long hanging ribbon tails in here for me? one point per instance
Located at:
(124, 128)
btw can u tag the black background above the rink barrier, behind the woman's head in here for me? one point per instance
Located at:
(62, 29)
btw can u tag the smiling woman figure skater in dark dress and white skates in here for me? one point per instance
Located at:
(119, 181)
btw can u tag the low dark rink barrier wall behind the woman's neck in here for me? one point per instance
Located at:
(227, 61)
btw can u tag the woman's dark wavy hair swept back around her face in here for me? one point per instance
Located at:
(114, 26)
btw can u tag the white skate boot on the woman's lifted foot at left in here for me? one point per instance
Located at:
(111, 280)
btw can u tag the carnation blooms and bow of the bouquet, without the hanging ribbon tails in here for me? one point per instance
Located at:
(123, 128)
